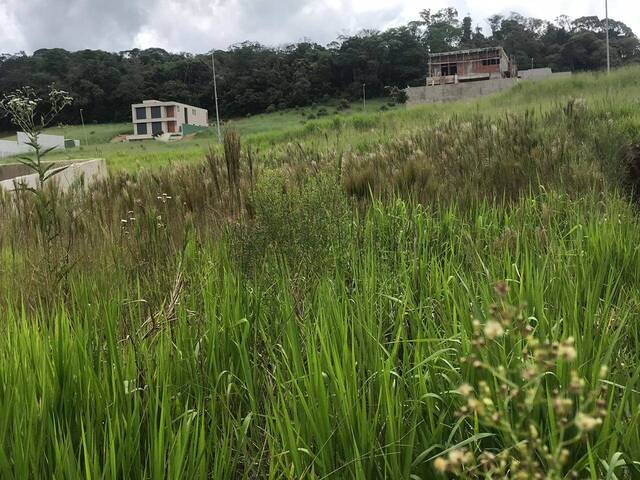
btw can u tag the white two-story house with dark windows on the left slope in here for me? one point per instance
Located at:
(153, 117)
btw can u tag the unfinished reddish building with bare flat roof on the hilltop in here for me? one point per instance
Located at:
(473, 65)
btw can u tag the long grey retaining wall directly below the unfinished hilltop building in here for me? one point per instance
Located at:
(459, 91)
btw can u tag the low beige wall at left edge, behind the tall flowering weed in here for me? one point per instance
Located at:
(90, 170)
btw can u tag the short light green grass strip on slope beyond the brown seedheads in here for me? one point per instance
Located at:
(353, 130)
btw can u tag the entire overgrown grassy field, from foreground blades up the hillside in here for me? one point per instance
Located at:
(451, 291)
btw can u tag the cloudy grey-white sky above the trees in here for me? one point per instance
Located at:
(200, 25)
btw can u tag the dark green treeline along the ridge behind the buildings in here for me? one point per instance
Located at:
(254, 78)
